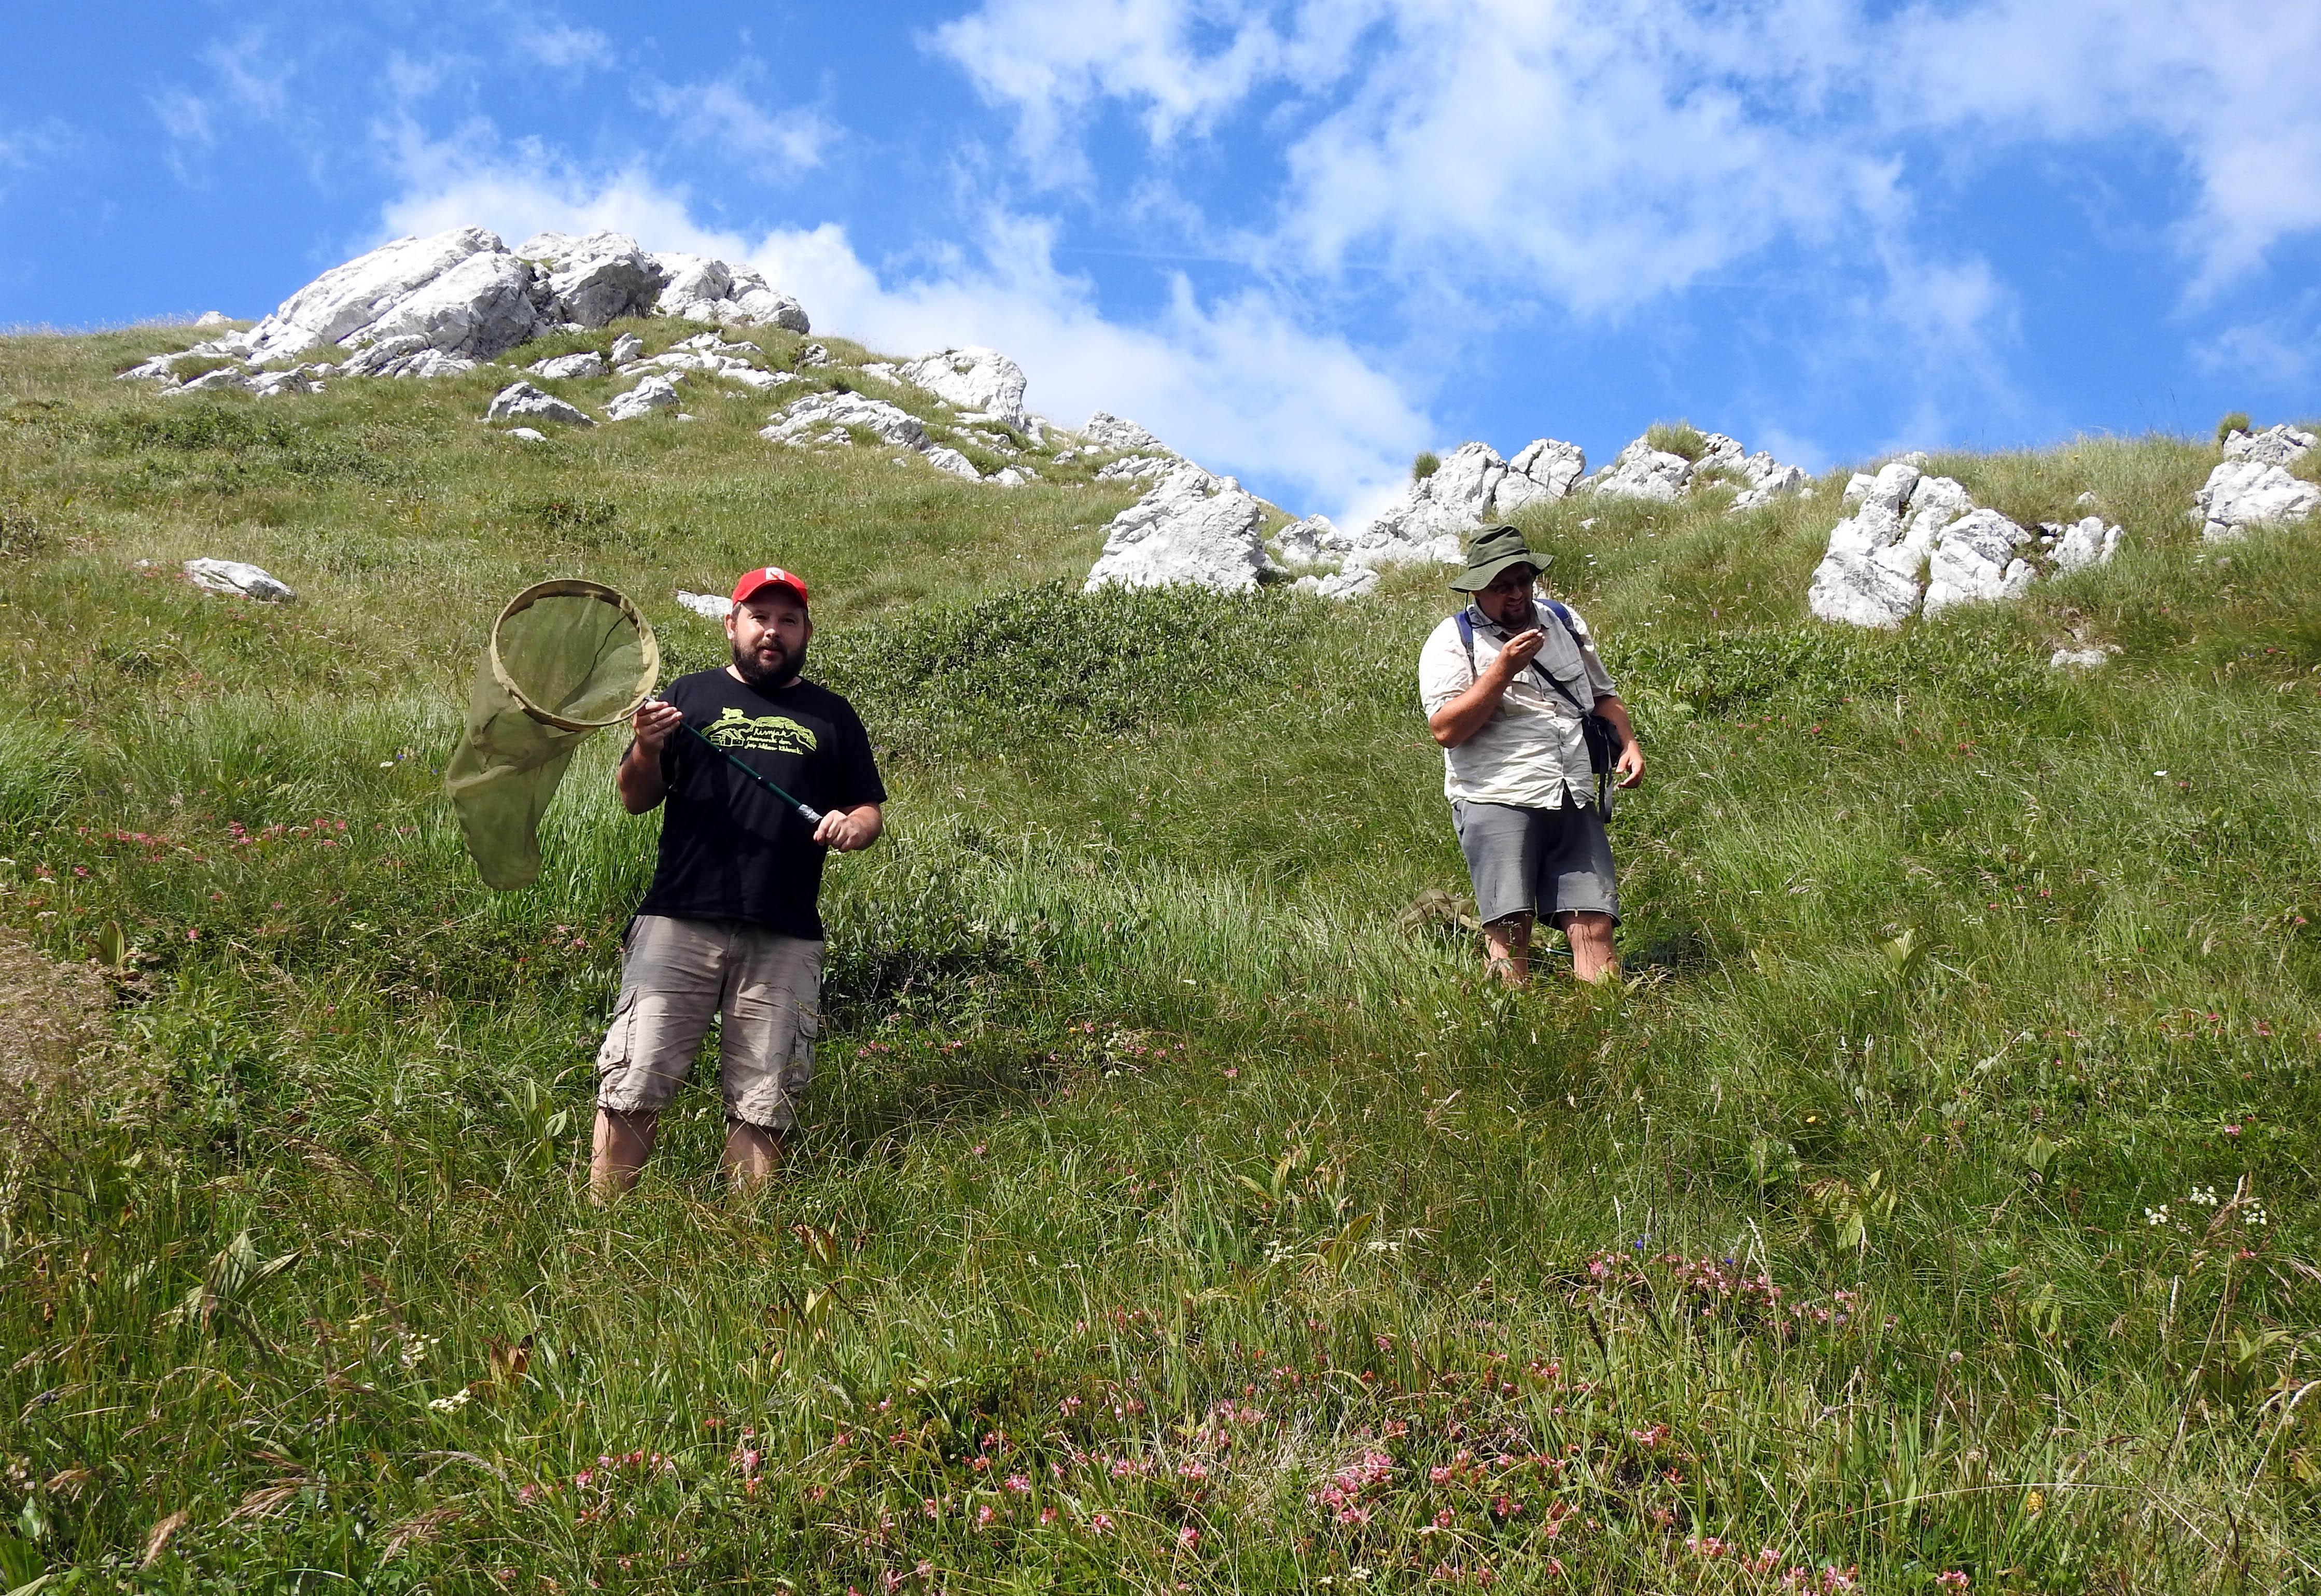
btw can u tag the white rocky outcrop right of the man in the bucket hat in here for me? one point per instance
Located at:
(1911, 525)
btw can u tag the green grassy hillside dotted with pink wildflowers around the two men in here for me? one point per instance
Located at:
(1178, 1210)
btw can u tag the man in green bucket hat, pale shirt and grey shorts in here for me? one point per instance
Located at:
(1510, 685)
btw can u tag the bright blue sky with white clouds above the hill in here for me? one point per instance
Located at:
(1299, 240)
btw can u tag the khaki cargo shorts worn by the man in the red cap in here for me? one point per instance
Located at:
(674, 980)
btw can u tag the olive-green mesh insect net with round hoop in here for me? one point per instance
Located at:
(565, 660)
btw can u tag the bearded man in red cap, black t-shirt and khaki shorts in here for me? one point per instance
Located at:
(730, 924)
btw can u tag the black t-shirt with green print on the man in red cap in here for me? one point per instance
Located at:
(732, 850)
